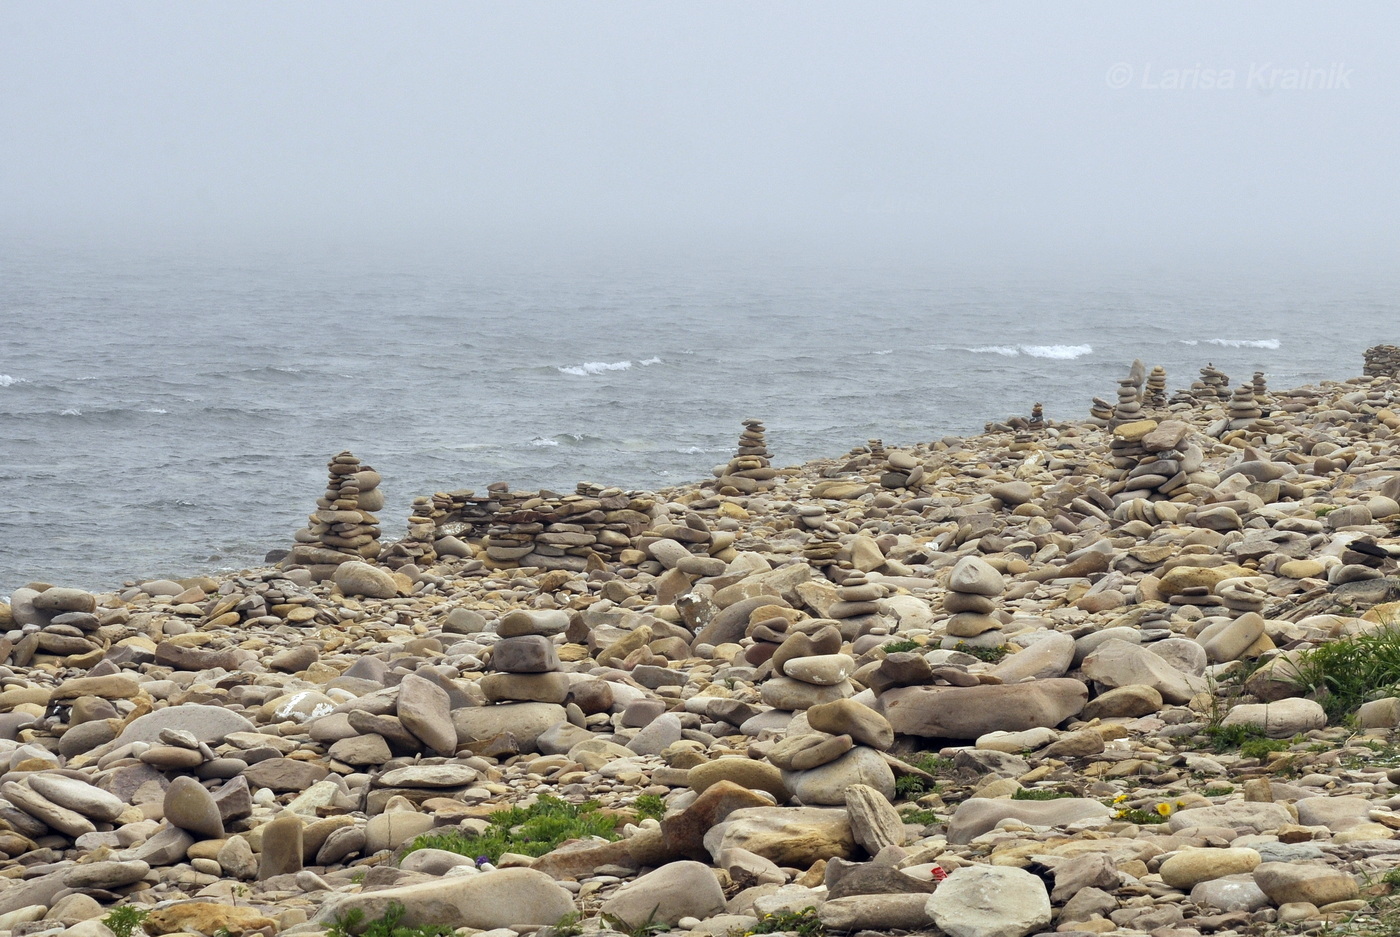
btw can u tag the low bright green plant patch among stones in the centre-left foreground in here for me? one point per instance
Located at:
(530, 831)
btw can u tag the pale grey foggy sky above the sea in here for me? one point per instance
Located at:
(946, 128)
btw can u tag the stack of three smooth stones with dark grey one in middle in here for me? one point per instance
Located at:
(524, 662)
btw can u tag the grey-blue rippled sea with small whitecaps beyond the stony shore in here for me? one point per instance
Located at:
(170, 414)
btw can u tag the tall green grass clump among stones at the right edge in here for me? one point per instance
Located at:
(1350, 672)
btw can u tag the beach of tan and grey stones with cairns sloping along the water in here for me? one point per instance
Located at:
(1076, 677)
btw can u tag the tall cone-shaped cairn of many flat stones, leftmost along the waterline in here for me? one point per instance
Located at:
(344, 527)
